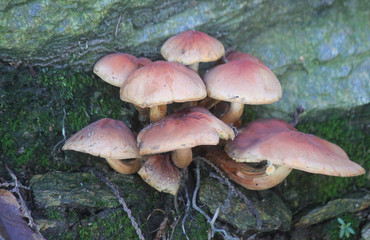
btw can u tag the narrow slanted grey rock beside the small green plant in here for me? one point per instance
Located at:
(335, 208)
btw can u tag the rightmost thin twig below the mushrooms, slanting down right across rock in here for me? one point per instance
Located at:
(235, 191)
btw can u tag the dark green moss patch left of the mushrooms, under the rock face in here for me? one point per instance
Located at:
(32, 111)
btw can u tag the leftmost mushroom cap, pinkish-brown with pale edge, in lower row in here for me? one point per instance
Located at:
(106, 138)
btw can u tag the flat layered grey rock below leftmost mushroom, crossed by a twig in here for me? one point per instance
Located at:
(84, 190)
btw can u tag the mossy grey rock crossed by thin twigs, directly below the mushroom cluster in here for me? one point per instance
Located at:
(273, 212)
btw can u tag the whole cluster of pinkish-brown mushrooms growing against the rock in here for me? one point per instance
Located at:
(259, 157)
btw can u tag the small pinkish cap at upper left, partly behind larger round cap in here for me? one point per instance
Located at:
(114, 68)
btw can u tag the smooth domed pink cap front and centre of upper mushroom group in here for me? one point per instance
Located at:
(161, 83)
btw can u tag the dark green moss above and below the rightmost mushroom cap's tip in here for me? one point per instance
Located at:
(354, 141)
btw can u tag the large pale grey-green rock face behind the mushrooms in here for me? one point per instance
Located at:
(318, 49)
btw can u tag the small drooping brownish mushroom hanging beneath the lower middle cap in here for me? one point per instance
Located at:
(159, 172)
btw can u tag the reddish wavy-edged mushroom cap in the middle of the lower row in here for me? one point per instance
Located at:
(184, 129)
